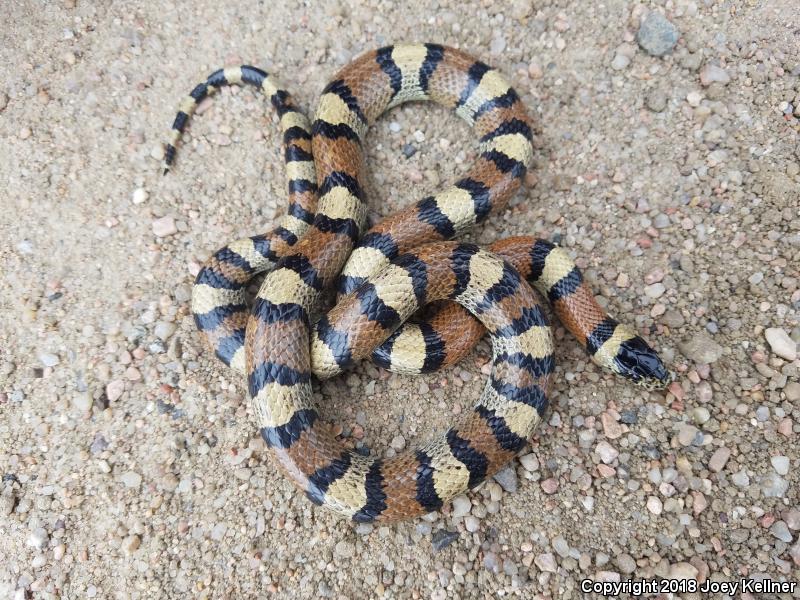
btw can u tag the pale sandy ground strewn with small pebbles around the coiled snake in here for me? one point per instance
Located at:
(131, 467)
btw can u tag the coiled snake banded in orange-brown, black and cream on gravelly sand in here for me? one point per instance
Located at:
(385, 275)
